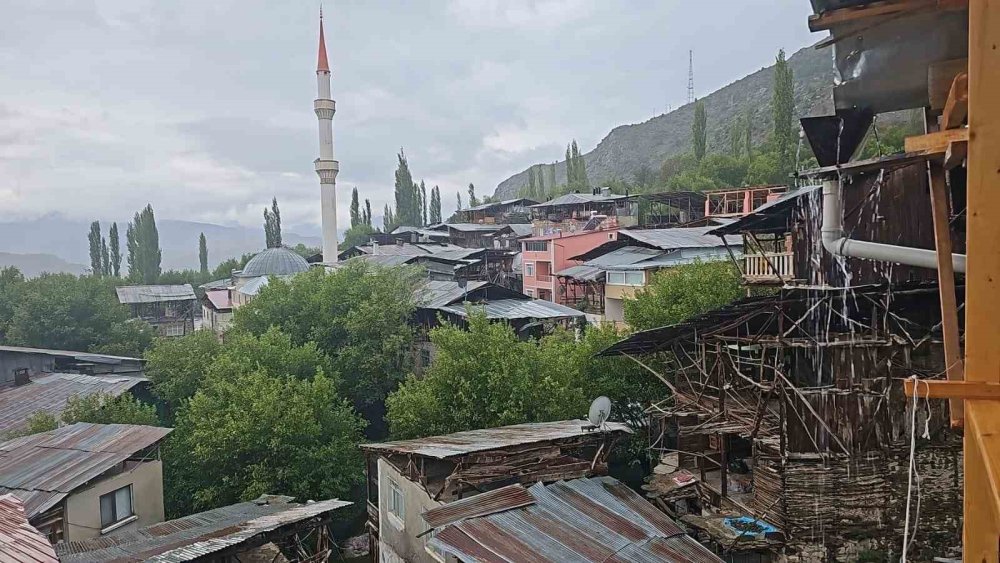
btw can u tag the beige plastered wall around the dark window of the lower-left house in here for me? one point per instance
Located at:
(83, 508)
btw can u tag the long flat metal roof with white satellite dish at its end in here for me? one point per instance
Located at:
(462, 443)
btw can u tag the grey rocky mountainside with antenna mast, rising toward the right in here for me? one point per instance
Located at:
(629, 147)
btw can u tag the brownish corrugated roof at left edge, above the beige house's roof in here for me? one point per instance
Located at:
(49, 393)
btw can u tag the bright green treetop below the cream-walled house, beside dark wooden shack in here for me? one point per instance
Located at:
(678, 293)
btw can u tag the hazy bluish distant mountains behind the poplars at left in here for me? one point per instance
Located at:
(66, 240)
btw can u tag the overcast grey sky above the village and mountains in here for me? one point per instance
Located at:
(204, 109)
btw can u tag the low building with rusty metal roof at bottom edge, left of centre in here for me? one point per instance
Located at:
(247, 531)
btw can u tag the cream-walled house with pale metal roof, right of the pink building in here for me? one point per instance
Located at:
(610, 273)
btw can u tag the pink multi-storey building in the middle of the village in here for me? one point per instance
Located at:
(543, 256)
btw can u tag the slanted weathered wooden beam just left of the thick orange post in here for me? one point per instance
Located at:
(946, 285)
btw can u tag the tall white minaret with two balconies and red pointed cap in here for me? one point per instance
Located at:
(326, 166)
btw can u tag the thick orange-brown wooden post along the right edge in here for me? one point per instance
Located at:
(982, 310)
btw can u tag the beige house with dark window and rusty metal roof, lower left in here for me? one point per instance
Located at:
(86, 480)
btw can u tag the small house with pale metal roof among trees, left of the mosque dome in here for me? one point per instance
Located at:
(169, 308)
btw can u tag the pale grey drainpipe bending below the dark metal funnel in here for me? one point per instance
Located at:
(836, 242)
